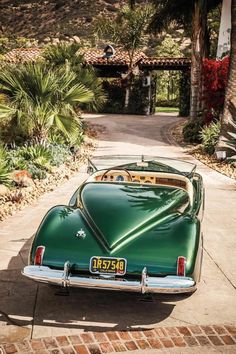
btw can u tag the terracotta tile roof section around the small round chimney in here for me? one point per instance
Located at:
(96, 57)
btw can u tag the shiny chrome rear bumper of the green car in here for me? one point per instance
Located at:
(169, 284)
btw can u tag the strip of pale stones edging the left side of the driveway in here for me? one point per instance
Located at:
(17, 198)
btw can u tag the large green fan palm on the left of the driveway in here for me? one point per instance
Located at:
(40, 99)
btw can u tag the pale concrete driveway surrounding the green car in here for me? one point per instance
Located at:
(29, 310)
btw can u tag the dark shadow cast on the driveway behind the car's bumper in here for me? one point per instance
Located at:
(25, 303)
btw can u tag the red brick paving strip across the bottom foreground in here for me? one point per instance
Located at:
(121, 341)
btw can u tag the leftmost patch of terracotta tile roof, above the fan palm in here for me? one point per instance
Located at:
(22, 55)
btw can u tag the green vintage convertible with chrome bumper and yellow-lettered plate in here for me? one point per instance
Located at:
(133, 225)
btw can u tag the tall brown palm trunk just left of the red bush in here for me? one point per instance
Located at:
(198, 46)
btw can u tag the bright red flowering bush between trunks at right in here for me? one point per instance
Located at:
(215, 74)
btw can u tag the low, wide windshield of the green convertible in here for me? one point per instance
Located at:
(142, 163)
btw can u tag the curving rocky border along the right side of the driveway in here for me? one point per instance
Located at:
(198, 153)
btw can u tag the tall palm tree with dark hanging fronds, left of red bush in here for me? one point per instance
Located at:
(192, 15)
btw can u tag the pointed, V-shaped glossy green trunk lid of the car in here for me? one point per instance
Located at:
(122, 212)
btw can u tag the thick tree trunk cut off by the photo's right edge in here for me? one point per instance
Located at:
(229, 116)
